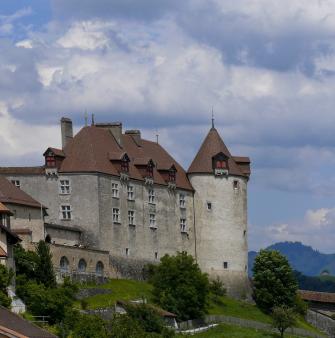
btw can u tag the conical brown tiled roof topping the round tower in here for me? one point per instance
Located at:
(212, 146)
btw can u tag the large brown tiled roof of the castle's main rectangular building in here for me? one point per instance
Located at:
(93, 148)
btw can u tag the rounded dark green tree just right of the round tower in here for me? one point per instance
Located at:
(274, 282)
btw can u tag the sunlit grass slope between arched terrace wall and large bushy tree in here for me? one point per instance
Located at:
(122, 289)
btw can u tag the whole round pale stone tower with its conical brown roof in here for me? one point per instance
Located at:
(220, 206)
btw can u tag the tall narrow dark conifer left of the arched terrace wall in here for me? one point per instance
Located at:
(44, 272)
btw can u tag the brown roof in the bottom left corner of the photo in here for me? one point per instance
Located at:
(16, 323)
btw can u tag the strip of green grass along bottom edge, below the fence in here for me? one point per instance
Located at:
(230, 331)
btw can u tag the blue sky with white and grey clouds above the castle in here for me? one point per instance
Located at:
(267, 68)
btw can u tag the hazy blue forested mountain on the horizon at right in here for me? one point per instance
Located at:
(302, 258)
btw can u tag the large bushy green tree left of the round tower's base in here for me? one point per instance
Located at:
(180, 287)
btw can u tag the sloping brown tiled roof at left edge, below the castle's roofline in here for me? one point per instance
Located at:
(9, 193)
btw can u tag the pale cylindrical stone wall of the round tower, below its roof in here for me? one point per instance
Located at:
(221, 231)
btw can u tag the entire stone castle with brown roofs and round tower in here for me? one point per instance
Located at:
(112, 193)
